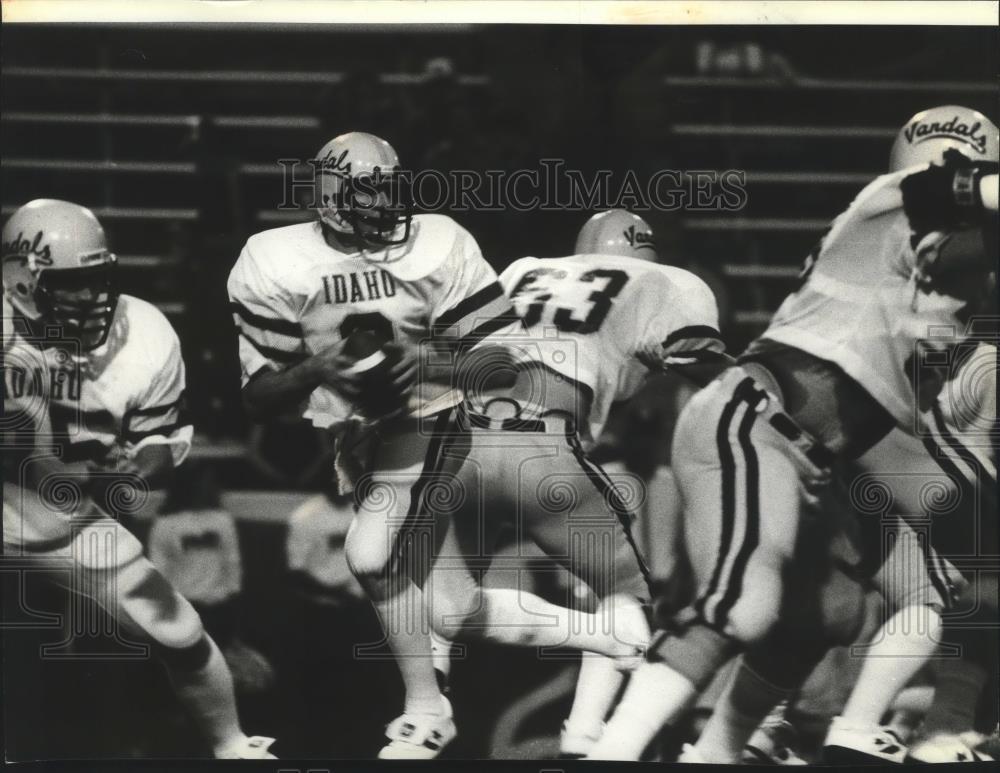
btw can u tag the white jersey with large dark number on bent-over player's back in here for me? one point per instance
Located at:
(605, 321)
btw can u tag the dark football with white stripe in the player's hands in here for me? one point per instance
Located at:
(376, 366)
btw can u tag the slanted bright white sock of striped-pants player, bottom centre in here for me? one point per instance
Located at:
(656, 695)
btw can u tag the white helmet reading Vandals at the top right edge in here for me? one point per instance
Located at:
(926, 137)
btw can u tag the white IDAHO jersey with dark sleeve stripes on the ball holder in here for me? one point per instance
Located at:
(293, 295)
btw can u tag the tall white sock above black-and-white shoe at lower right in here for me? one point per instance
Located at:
(899, 649)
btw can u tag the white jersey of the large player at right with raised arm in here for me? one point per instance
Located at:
(860, 306)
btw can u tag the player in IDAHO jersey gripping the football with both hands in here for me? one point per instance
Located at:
(332, 316)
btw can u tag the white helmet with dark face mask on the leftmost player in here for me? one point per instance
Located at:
(57, 269)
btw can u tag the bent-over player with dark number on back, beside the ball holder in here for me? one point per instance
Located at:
(598, 323)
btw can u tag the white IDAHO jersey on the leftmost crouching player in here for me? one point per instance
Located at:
(97, 407)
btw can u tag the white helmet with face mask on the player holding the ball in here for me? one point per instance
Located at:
(361, 191)
